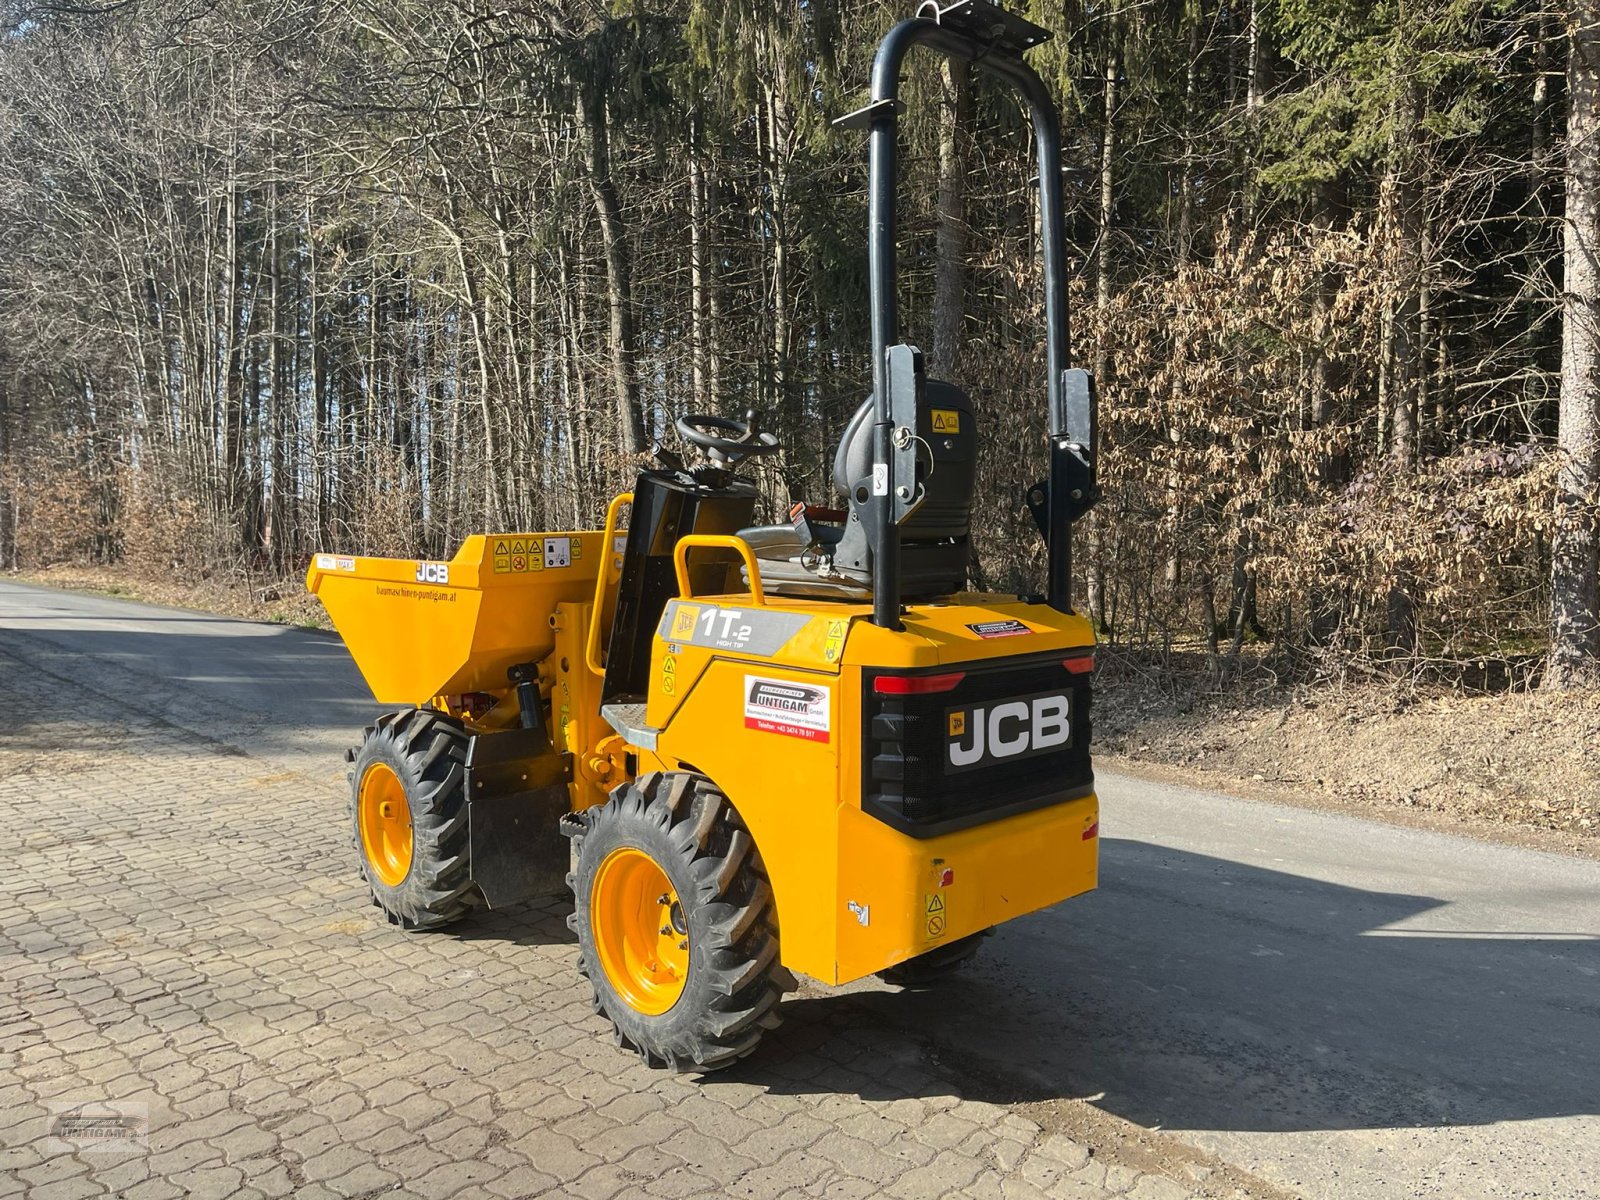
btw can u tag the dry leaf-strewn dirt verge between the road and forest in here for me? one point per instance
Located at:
(1510, 766)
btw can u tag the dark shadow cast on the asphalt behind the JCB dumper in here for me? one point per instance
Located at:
(1198, 993)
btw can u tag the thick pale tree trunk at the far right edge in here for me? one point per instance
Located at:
(1575, 559)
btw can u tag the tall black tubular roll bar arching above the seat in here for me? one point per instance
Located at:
(993, 41)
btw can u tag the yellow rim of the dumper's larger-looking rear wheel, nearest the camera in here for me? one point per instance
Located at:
(639, 929)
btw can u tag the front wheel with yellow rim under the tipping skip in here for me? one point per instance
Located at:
(409, 817)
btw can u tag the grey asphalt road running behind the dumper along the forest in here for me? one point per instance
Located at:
(1338, 1007)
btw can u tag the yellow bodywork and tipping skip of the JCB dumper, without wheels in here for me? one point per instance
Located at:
(855, 895)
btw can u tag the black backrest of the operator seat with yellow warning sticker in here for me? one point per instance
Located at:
(946, 463)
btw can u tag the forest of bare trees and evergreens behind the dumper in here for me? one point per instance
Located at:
(282, 276)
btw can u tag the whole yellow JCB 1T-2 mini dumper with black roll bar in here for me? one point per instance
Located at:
(770, 750)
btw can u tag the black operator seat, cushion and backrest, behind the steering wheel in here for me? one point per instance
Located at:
(836, 561)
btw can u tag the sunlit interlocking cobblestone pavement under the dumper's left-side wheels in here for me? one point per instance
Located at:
(182, 929)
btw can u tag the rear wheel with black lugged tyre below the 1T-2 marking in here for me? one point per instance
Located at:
(676, 922)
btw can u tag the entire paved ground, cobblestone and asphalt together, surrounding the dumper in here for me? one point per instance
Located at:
(1337, 1007)
